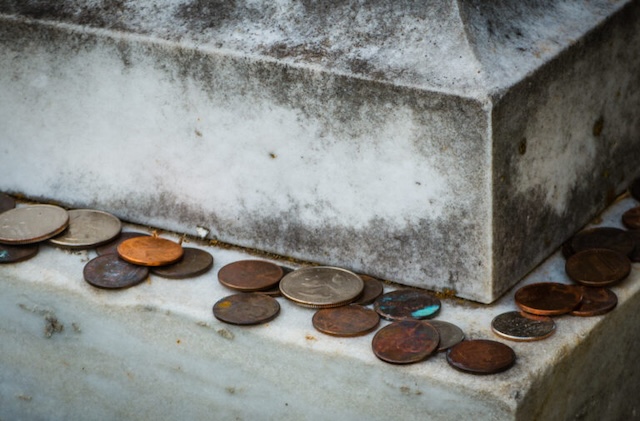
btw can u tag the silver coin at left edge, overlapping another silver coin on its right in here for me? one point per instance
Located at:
(32, 224)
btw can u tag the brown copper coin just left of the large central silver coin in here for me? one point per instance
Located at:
(250, 275)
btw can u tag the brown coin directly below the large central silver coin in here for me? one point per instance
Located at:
(351, 320)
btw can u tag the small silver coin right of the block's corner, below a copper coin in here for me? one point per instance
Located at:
(520, 326)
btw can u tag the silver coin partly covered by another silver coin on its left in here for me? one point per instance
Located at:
(88, 228)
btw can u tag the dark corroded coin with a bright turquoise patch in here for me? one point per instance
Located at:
(405, 304)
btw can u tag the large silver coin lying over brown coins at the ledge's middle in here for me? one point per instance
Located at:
(321, 286)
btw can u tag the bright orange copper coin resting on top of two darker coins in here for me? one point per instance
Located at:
(150, 251)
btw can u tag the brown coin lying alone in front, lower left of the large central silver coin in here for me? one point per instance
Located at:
(246, 309)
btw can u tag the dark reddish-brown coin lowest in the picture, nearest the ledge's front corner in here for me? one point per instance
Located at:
(481, 356)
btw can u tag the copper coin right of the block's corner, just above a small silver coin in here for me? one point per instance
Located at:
(548, 298)
